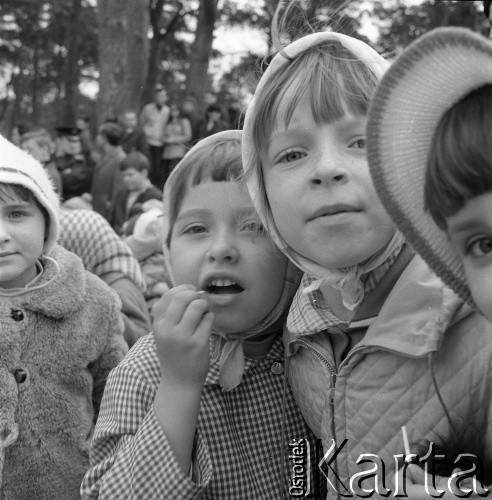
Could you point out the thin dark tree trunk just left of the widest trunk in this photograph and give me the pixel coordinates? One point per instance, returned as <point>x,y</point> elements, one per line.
<point>71,73</point>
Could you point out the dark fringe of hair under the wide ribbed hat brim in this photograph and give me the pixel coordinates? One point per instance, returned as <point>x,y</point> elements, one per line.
<point>459,164</point>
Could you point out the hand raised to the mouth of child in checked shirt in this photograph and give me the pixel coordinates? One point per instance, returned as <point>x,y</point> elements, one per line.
<point>182,326</point>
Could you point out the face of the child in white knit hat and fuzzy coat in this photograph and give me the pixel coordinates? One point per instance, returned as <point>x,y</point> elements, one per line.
<point>22,235</point>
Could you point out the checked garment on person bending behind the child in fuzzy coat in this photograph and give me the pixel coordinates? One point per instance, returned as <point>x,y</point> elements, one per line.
<point>89,235</point>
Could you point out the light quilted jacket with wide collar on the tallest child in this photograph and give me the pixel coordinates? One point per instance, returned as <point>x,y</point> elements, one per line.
<point>423,346</point>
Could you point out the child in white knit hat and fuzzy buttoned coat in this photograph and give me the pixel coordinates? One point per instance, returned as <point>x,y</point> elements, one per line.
<point>60,335</point>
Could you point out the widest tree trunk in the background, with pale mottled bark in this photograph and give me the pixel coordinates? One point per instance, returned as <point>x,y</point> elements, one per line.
<point>123,54</point>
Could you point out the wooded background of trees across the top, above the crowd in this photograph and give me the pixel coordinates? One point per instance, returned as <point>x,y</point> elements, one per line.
<point>48,48</point>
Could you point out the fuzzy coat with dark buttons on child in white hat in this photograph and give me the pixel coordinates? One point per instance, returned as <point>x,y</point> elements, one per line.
<point>57,346</point>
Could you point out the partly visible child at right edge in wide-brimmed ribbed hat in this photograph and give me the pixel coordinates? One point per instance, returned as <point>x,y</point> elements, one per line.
<point>430,156</point>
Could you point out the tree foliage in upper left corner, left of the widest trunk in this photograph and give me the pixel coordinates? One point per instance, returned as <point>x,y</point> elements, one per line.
<point>35,38</point>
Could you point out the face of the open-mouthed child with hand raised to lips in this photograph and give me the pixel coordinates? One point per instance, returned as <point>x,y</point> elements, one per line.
<point>218,245</point>
